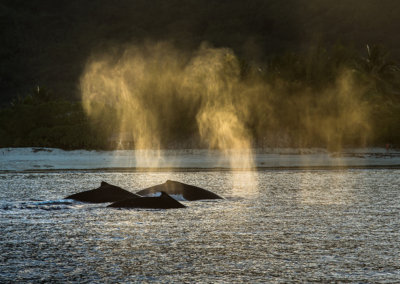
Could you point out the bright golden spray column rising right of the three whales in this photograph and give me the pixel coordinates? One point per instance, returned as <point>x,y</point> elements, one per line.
<point>221,118</point>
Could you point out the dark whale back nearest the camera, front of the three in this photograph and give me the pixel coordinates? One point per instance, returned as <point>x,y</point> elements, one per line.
<point>164,201</point>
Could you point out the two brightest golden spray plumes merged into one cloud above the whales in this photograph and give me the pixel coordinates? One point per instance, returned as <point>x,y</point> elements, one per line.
<point>161,95</point>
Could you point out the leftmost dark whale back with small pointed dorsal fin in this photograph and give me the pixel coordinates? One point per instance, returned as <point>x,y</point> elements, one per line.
<point>105,193</point>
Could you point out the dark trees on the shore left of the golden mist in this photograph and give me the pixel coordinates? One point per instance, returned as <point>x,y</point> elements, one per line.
<point>40,119</point>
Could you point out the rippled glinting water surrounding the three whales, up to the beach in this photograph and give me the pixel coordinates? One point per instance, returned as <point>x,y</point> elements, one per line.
<point>287,226</point>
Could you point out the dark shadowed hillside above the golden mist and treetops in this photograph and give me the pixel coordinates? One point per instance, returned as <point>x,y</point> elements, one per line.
<point>47,42</point>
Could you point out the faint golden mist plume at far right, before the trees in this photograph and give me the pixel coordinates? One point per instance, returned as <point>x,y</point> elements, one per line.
<point>337,116</point>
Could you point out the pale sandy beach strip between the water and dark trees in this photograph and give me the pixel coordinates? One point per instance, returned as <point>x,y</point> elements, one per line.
<point>54,160</point>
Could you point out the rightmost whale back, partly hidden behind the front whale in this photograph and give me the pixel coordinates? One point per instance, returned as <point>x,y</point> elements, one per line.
<point>189,192</point>
